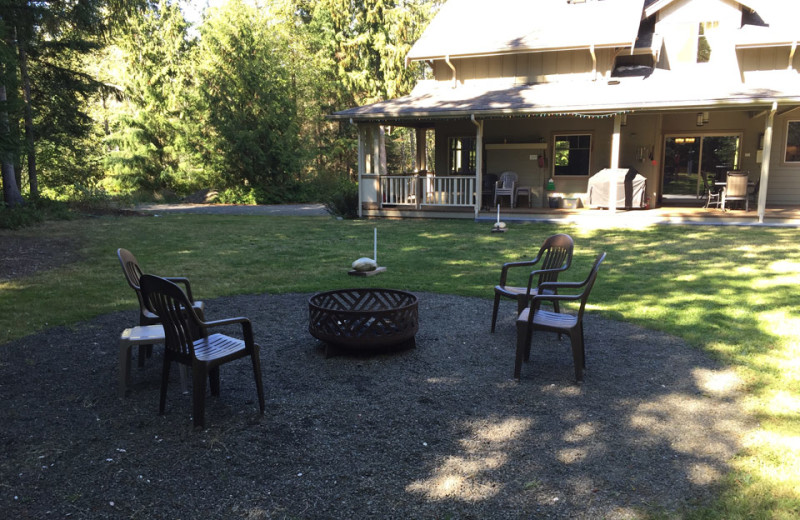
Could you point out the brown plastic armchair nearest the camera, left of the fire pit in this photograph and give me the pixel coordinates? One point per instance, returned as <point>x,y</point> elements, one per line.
<point>187,342</point>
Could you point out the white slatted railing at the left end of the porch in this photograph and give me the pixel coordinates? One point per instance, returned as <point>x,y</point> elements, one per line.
<point>416,190</point>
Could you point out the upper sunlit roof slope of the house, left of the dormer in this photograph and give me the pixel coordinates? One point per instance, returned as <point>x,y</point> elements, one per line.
<point>465,28</point>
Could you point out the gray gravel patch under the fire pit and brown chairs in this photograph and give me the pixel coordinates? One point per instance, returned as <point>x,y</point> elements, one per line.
<point>438,431</point>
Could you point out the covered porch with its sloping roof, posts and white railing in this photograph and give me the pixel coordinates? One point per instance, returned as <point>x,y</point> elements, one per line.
<point>480,134</point>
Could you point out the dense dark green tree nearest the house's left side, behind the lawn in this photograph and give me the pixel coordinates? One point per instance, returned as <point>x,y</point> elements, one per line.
<point>246,96</point>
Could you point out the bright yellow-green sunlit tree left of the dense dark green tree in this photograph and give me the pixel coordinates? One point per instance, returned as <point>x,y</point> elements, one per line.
<point>150,151</point>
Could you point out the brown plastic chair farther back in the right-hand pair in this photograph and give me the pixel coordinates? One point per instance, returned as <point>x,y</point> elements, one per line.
<point>555,256</point>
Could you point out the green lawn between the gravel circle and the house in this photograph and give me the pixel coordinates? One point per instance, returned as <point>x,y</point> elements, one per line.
<point>730,291</point>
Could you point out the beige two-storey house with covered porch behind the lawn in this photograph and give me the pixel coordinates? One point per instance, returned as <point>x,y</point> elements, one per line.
<point>558,90</point>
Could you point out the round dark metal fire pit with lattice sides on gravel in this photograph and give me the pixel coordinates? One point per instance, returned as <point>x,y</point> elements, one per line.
<point>366,319</point>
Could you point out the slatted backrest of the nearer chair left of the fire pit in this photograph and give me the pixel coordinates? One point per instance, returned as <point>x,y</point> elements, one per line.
<point>174,310</point>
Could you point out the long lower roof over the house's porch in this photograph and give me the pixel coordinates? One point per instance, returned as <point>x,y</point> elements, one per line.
<point>660,91</point>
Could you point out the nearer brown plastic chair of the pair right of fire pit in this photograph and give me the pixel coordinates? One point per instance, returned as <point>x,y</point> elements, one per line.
<point>535,318</point>
